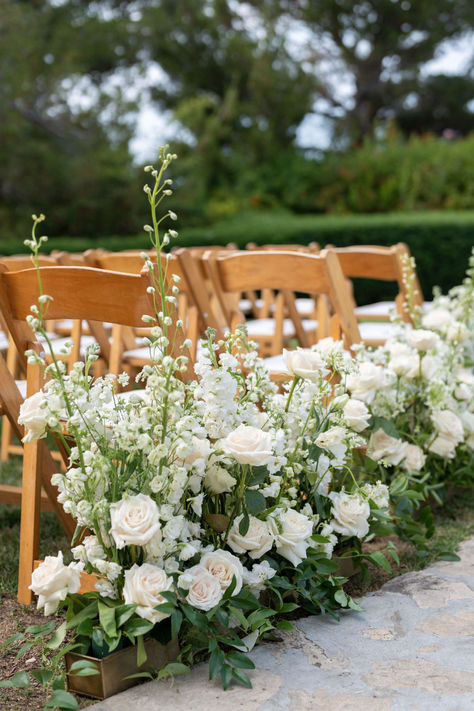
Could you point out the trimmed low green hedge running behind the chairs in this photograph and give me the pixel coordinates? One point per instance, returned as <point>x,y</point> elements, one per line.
<point>441,242</point>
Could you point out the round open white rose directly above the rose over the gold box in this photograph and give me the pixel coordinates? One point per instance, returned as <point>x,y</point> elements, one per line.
<point>135,521</point>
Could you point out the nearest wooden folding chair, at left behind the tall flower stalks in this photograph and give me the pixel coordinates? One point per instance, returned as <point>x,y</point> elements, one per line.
<point>77,293</point>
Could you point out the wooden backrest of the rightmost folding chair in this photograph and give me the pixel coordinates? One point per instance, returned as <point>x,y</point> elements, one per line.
<point>384,263</point>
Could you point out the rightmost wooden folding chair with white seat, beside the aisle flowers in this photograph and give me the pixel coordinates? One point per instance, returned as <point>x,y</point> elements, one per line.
<point>385,264</point>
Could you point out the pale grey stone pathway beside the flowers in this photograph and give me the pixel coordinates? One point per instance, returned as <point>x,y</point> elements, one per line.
<point>411,649</point>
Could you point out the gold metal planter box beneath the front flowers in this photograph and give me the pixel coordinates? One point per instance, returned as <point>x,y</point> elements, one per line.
<point>116,666</point>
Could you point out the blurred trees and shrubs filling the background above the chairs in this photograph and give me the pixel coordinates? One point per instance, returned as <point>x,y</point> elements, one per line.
<point>237,80</point>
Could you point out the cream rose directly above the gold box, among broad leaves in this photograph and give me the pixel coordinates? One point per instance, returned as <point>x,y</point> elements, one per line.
<point>143,587</point>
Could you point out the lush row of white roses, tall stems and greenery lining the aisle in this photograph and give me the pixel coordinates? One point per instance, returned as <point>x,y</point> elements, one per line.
<point>211,510</point>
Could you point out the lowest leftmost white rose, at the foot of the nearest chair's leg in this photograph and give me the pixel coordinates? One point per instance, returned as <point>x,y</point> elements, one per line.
<point>52,581</point>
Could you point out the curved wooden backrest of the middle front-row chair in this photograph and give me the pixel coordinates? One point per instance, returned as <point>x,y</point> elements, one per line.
<point>284,272</point>
